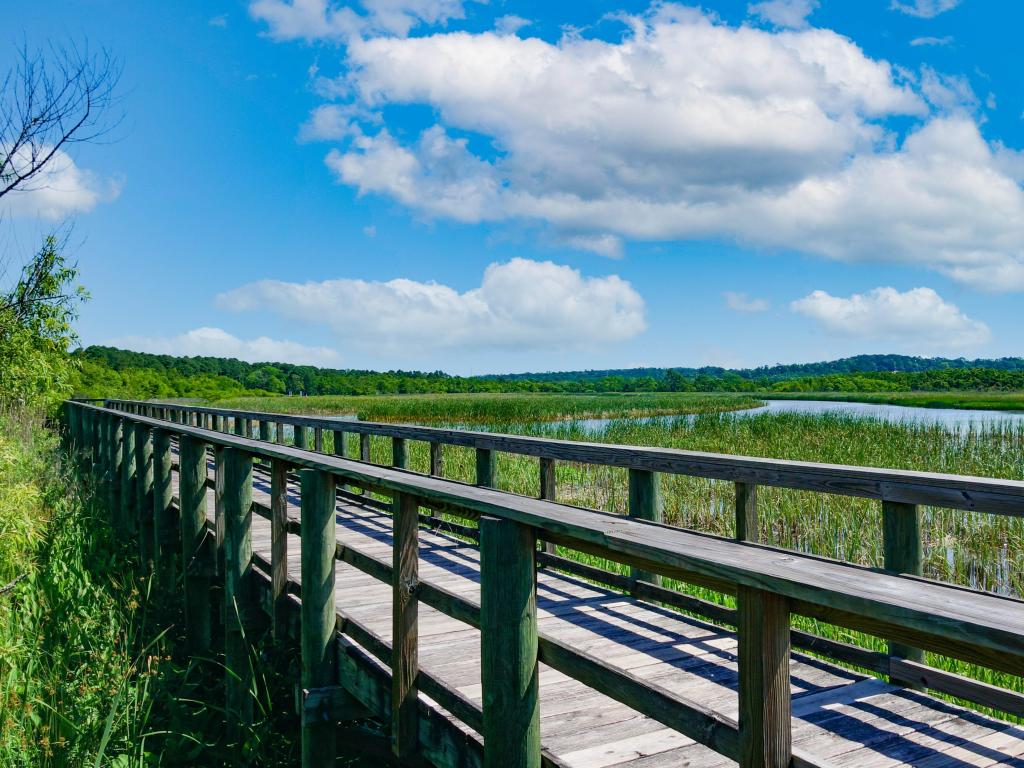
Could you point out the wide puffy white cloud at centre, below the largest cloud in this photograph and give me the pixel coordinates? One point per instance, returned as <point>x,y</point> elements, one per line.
<point>520,305</point>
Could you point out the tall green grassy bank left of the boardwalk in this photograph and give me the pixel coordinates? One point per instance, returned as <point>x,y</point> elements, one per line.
<point>94,670</point>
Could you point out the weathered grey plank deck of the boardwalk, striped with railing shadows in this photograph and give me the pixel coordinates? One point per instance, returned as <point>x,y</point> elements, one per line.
<point>840,717</point>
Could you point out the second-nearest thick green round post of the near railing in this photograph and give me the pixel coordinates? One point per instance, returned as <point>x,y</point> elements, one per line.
<point>319,667</point>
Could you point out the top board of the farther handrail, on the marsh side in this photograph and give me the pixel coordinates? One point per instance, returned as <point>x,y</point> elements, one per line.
<point>949,491</point>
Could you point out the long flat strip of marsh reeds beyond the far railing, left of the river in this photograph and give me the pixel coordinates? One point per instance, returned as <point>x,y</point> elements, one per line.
<point>491,409</point>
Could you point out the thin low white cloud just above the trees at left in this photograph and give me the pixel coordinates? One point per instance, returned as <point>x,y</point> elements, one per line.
<point>219,344</point>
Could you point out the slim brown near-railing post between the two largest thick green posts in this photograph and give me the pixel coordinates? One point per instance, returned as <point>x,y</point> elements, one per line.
<point>405,632</point>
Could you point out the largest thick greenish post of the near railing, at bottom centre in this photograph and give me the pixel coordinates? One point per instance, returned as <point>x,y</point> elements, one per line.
<point>508,646</point>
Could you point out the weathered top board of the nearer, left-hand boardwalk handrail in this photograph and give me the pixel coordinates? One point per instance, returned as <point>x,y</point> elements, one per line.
<point>932,610</point>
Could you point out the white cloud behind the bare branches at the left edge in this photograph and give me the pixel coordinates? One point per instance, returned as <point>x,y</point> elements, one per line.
<point>60,190</point>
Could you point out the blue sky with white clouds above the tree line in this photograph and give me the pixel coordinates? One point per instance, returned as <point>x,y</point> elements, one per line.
<point>522,186</point>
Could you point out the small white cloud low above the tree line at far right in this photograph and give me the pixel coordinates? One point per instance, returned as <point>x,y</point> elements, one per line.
<point>916,317</point>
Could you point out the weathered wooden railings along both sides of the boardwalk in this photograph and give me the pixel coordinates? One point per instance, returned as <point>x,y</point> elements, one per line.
<point>127,447</point>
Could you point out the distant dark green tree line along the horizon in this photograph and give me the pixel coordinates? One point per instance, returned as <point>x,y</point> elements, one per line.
<point>112,372</point>
